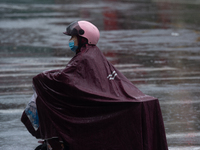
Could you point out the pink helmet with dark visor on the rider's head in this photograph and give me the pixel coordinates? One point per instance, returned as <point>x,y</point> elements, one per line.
<point>84,29</point>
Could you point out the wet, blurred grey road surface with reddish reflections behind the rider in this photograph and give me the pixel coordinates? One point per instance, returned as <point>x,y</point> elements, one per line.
<point>154,43</point>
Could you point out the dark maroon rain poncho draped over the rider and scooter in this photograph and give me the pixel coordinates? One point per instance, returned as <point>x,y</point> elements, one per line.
<point>92,106</point>
